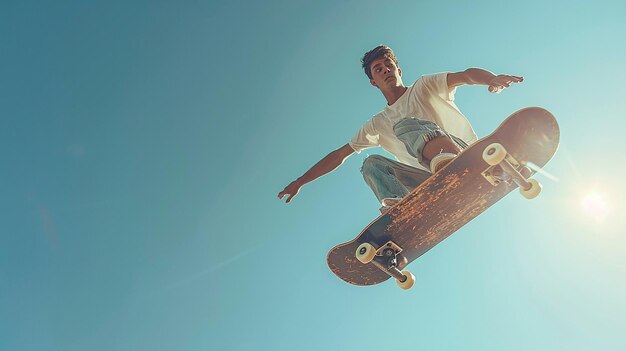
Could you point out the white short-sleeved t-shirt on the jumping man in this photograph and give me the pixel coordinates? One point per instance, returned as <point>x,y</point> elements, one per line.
<point>429,99</point>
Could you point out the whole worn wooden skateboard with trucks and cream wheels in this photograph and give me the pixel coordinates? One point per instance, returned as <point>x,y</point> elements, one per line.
<point>477,178</point>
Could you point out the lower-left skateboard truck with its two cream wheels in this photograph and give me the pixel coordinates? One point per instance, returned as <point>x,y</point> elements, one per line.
<point>386,259</point>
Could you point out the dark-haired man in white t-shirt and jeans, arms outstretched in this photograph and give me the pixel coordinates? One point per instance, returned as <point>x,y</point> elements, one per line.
<point>421,126</point>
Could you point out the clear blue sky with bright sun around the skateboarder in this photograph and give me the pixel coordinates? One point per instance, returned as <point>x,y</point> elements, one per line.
<point>144,144</point>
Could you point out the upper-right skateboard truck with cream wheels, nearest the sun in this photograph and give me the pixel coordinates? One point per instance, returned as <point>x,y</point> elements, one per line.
<point>501,162</point>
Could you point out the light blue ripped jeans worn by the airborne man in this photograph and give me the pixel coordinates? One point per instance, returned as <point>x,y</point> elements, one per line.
<point>389,178</point>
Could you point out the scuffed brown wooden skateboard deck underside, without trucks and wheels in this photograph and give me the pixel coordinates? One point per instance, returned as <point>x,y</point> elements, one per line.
<point>450,198</point>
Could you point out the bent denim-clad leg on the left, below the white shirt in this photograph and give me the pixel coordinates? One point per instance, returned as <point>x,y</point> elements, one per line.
<point>390,179</point>
